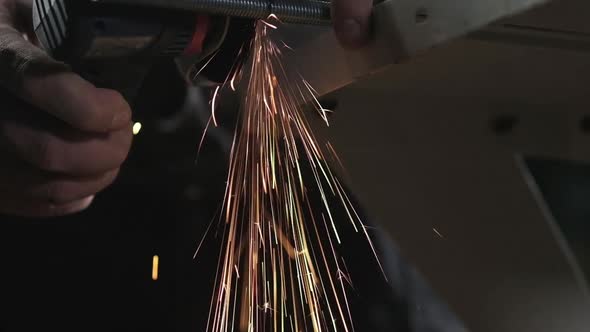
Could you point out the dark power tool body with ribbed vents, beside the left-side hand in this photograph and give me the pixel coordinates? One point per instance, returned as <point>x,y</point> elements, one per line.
<point>112,46</point>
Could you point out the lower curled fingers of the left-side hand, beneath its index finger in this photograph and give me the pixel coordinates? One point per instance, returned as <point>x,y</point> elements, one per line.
<point>49,168</point>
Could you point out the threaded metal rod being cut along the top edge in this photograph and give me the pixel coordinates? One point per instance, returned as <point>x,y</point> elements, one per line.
<point>290,11</point>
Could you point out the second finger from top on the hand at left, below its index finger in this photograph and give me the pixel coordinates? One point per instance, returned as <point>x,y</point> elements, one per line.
<point>50,145</point>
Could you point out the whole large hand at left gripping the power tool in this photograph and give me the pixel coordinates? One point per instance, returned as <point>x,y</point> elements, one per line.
<point>62,140</point>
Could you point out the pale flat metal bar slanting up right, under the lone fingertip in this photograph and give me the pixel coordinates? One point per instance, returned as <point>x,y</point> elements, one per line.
<point>403,29</point>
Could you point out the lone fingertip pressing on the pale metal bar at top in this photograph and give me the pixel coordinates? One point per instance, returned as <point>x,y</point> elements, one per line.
<point>351,21</point>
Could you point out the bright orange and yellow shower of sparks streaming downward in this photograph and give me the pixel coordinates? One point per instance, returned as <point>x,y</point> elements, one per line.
<point>279,269</point>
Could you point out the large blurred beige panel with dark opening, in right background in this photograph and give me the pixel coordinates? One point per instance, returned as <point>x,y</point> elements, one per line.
<point>426,155</point>
